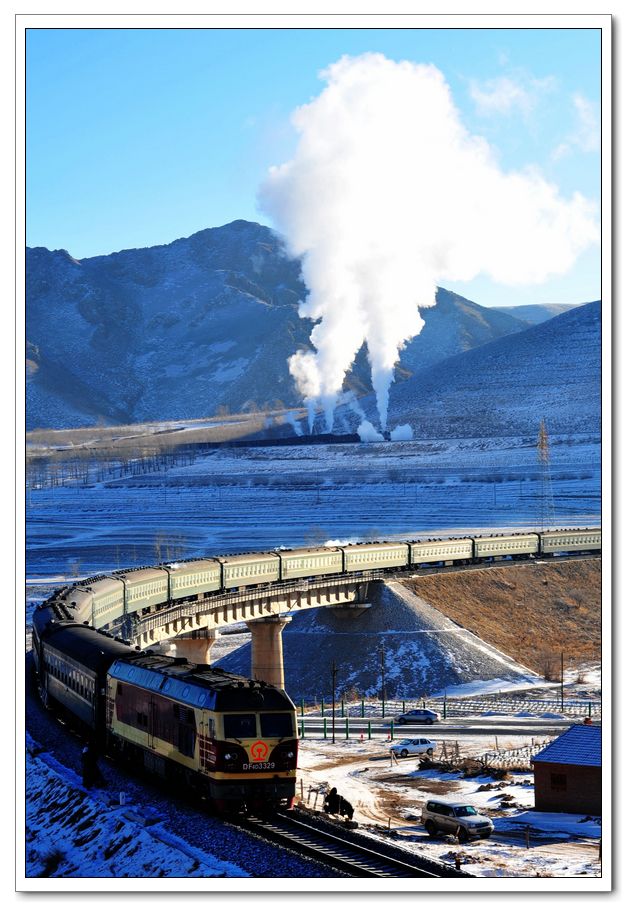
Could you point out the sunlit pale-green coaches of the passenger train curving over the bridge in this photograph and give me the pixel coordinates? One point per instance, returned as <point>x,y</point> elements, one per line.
<point>106,601</point>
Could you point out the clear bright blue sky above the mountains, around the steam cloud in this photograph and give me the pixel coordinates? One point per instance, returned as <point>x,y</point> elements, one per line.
<point>138,137</point>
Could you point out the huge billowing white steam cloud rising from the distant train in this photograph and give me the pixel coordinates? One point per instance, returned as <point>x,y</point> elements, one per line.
<point>388,195</point>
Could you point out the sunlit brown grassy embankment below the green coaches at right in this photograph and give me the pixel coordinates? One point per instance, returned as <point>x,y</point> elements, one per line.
<point>530,612</point>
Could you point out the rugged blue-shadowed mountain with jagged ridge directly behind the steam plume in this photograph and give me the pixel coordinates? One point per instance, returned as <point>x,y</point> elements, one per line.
<point>178,330</point>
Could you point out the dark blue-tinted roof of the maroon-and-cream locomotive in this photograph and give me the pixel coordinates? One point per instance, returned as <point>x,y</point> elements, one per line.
<point>199,685</point>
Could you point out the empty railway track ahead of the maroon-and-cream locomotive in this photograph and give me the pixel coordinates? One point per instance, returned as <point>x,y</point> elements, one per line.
<point>340,852</point>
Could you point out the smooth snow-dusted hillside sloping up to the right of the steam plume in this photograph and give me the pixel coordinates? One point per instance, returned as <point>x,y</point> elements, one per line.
<point>552,371</point>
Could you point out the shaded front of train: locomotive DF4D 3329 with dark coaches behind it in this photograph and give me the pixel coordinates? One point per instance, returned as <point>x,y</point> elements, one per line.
<point>231,740</point>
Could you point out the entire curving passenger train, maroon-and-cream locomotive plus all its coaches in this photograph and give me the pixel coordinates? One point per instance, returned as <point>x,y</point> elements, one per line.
<point>231,739</point>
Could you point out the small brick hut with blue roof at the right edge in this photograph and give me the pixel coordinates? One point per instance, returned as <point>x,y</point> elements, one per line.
<point>568,772</point>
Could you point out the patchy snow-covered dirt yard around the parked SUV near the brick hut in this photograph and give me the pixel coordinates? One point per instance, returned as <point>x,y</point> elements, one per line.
<point>388,798</point>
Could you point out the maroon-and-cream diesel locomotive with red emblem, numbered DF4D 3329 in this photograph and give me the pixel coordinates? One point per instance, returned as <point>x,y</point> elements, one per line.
<point>232,739</point>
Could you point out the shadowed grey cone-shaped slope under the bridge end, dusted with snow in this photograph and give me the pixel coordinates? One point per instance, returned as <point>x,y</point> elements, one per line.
<point>425,652</point>
